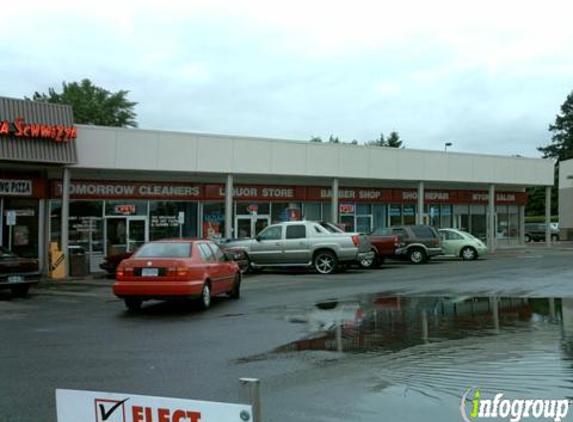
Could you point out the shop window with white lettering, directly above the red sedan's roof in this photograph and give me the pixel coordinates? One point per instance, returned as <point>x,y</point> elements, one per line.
<point>172,219</point>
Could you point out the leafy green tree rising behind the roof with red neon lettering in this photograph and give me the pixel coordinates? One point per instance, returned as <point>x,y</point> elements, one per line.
<point>93,105</point>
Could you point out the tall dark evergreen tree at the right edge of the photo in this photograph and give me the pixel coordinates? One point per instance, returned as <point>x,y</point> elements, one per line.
<point>561,146</point>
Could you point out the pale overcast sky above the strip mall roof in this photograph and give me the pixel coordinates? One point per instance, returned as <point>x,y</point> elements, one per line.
<point>488,77</point>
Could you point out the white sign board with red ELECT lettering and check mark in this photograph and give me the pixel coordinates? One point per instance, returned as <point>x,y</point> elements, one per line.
<point>93,406</point>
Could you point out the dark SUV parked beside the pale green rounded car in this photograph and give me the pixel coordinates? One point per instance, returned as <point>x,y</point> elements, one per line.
<point>417,243</point>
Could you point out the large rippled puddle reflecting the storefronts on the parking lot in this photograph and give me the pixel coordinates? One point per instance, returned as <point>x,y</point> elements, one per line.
<point>435,345</point>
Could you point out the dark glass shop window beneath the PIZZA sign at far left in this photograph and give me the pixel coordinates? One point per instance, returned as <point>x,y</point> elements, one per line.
<point>22,236</point>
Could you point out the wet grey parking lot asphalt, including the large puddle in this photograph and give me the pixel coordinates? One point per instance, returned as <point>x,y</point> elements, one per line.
<point>397,343</point>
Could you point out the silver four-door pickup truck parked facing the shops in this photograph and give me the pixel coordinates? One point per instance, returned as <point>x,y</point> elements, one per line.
<point>303,243</point>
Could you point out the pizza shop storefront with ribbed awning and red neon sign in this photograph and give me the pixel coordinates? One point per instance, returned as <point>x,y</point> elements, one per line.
<point>34,137</point>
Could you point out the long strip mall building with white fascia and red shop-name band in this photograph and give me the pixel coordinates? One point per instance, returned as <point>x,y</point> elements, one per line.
<point>111,189</point>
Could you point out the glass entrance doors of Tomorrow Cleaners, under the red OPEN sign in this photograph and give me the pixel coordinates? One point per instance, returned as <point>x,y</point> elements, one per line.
<point>125,234</point>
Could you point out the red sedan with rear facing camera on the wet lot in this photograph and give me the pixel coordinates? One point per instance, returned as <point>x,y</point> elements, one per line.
<point>173,269</point>
